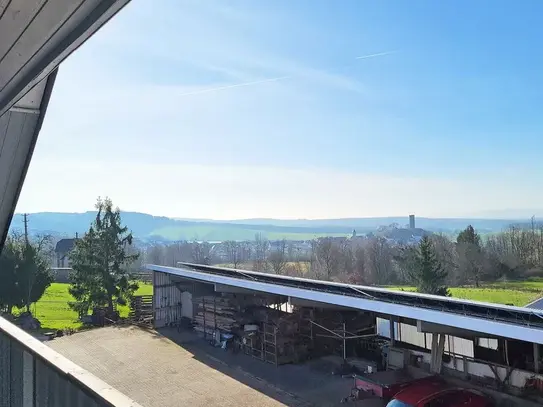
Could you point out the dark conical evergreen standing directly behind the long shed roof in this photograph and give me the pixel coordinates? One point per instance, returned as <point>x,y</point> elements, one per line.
<point>425,270</point>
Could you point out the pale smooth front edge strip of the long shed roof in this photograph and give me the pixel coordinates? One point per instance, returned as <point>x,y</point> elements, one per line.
<point>486,327</point>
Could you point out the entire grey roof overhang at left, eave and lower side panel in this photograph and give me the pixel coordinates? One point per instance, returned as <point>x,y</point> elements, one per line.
<point>35,37</point>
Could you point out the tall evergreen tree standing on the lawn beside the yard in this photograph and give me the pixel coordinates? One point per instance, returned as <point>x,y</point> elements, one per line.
<point>100,263</point>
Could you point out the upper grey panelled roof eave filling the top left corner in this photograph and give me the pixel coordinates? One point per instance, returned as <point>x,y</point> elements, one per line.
<point>37,35</point>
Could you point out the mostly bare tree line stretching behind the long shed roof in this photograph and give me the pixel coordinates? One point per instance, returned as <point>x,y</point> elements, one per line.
<point>433,264</point>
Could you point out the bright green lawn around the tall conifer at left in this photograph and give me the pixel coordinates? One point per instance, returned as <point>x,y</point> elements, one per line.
<point>53,312</point>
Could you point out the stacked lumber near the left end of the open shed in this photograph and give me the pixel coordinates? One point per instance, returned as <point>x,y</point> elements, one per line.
<point>215,313</point>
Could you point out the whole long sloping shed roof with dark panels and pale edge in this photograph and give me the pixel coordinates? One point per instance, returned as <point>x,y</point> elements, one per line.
<point>490,319</point>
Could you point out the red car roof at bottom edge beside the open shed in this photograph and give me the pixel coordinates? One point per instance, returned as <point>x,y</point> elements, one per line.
<point>432,394</point>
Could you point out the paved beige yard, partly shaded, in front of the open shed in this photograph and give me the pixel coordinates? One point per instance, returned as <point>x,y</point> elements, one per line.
<point>173,369</point>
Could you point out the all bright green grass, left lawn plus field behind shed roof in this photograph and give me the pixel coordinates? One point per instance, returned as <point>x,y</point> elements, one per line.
<point>54,313</point>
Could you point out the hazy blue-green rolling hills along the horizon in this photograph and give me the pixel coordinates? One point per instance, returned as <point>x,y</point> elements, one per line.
<point>148,227</point>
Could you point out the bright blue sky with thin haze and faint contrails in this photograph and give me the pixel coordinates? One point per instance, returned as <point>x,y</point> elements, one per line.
<point>299,109</point>
